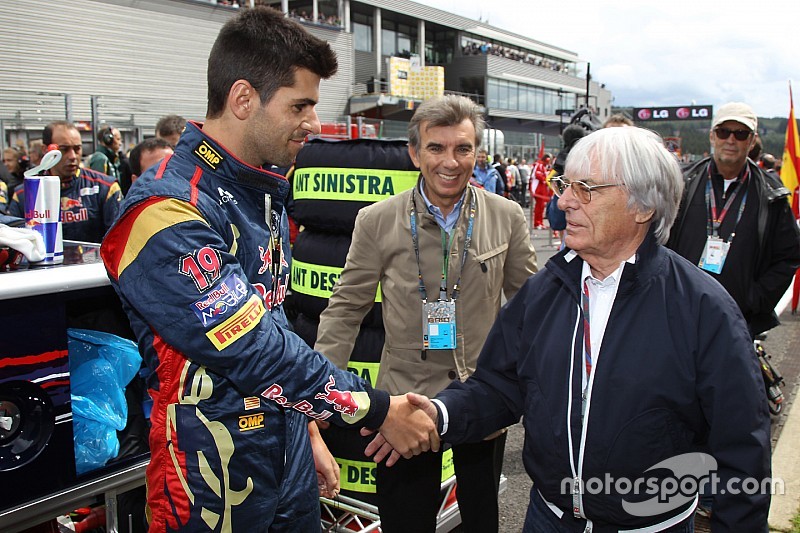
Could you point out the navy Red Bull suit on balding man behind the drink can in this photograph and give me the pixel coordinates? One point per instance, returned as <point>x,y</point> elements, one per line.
<point>90,203</point>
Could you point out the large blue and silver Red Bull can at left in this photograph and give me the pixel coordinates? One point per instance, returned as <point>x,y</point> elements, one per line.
<point>43,214</point>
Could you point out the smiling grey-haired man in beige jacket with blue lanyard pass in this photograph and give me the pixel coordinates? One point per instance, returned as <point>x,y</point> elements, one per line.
<point>443,253</point>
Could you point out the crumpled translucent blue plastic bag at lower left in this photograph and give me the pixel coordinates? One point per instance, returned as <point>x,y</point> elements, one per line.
<point>101,366</point>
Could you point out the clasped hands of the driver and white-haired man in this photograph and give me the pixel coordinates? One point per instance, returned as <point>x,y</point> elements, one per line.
<point>409,429</point>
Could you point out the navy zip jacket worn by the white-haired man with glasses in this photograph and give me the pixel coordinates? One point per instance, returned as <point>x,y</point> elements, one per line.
<point>676,374</point>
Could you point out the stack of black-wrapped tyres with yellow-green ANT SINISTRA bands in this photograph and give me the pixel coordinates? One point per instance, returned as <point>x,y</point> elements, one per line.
<point>331,182</point>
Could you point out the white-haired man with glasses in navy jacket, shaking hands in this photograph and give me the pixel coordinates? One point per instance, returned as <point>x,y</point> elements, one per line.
<point>641,360</point>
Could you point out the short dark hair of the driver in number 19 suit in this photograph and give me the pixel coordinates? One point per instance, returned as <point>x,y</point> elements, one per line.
<point>265,48</point>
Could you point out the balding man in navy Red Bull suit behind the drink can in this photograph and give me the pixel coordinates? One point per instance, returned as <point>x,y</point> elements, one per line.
<point>89,199</point>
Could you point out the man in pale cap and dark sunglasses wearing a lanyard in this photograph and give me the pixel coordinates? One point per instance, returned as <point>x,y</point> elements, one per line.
<point>735,221</point>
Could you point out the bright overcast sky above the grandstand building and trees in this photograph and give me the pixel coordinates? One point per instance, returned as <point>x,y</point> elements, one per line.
<point>672,52</point>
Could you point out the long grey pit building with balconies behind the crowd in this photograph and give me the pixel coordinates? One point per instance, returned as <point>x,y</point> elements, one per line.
<point>128,62</point>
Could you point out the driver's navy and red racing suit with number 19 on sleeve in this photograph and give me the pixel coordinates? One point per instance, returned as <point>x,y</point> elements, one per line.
<point>200,258</point>
